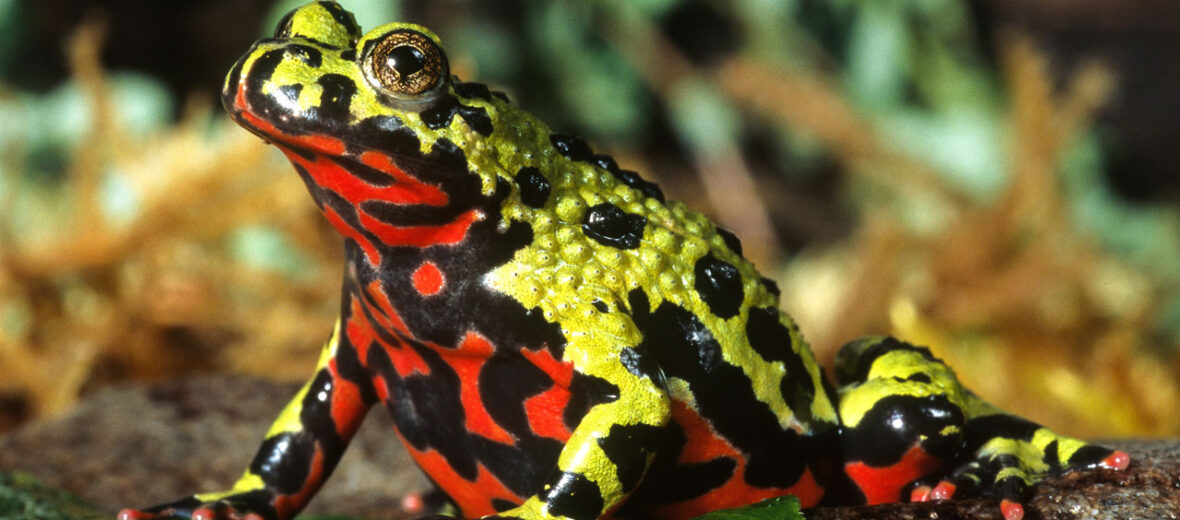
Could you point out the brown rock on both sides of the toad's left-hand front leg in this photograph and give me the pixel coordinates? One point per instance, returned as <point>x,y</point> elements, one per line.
<point>137,446</point>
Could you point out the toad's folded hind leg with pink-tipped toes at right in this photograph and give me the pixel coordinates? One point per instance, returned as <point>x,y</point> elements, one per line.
<point>913,432</point>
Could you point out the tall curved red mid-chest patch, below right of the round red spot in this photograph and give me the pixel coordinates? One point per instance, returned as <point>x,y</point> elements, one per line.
<point>468,360</point>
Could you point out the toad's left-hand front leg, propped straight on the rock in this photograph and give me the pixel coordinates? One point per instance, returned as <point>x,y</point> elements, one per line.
<point>299,452</point>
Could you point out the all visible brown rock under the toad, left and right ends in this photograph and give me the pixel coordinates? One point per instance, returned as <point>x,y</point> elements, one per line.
<point>142,445</point>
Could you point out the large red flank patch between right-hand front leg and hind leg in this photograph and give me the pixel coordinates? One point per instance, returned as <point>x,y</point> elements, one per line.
<point>704,445</point>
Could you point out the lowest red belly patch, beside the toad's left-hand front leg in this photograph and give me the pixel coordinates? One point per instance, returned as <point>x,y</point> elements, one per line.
<point>474,498</point>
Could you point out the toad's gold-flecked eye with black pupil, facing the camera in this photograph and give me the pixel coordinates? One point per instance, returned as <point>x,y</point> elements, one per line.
<point>407,64</point>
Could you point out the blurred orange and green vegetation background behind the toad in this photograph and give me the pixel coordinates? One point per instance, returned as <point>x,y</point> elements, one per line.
<point>994,179</point>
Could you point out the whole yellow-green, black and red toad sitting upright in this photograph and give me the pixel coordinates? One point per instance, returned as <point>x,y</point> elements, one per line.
<point>553,338</point>
